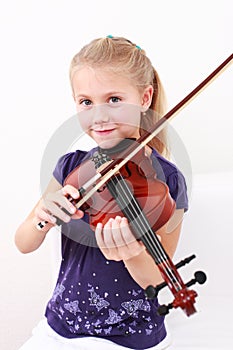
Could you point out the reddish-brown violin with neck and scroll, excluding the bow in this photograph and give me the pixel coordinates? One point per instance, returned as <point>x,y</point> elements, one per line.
<point>147,204</point>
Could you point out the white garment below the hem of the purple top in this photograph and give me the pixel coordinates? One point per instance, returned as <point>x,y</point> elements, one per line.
<point>44,338</point>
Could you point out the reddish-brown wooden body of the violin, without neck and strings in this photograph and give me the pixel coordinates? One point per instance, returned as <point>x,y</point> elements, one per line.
<point>151,194</point>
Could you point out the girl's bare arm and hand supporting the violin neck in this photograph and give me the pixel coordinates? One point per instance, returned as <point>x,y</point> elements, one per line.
<point>117,242</point>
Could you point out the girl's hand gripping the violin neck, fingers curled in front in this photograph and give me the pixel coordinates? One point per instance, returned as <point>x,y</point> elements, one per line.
<point>116,241</point>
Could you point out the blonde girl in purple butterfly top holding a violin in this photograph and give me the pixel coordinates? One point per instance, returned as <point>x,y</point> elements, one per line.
<point>99,301</point>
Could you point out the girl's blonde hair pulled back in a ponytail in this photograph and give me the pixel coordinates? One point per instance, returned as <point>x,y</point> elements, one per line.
<point>127,59</point>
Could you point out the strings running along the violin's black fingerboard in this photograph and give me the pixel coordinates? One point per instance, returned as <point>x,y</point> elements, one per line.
<point>145,228</point>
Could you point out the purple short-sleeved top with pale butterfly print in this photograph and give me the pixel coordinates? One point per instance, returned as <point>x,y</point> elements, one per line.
<point>98,297</point>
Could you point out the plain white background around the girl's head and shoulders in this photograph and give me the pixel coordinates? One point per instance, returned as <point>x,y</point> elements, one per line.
<point>186,41</point>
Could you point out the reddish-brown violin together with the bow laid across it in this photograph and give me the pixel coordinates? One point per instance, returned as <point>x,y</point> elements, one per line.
<point>123,181</point>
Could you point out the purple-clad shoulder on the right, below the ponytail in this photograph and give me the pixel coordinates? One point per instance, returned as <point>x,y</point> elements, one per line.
<point>169,173</point>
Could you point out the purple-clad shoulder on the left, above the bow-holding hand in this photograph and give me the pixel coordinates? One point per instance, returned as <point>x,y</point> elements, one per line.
<point>68,162</point>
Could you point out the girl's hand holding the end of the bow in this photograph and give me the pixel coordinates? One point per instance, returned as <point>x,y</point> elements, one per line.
<point>50,207</point>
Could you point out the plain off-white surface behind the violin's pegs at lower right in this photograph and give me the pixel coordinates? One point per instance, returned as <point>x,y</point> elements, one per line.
<point>208,233</point>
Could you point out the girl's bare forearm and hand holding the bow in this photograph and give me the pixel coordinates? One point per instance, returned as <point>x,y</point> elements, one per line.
<point>28,237</point>
